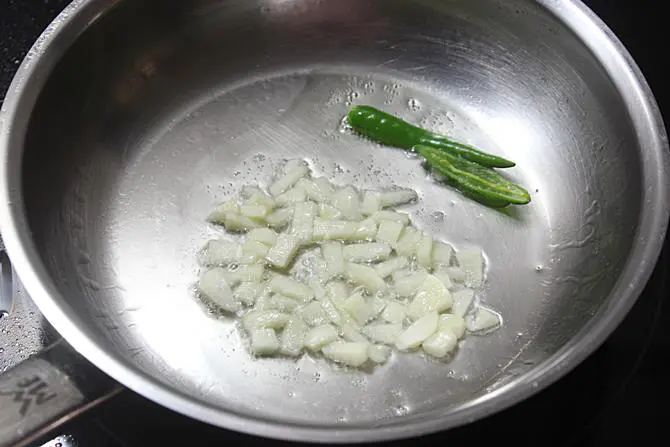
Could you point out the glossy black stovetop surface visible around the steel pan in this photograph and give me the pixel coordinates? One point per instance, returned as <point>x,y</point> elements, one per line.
<point>614,397</point>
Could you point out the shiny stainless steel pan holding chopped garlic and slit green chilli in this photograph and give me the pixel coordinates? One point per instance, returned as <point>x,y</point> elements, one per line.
<point>130,119</point>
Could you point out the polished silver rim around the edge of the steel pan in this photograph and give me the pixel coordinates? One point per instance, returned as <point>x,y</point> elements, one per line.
<point>594,34</point>
